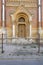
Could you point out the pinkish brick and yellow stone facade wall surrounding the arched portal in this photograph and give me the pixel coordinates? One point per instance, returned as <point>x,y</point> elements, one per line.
<point>13,6</point>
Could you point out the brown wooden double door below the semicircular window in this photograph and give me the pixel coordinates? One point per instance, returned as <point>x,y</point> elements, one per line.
<point>22,30</point>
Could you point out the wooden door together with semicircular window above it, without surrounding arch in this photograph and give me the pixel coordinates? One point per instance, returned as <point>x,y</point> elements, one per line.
<point>21,27</point>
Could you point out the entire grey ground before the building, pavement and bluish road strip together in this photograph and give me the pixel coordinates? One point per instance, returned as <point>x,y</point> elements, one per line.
<point>21,55</point>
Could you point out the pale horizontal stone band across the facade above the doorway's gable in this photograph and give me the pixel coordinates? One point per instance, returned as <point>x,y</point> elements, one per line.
<point>24,3</point>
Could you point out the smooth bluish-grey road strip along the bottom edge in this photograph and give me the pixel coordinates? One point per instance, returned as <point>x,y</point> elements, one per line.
<point>22,62</point>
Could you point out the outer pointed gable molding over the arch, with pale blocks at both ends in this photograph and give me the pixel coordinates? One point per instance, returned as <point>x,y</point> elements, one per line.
<point>19,10</point>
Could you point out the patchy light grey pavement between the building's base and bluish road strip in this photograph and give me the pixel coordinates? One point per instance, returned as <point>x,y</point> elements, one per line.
<point>20,52</point>
